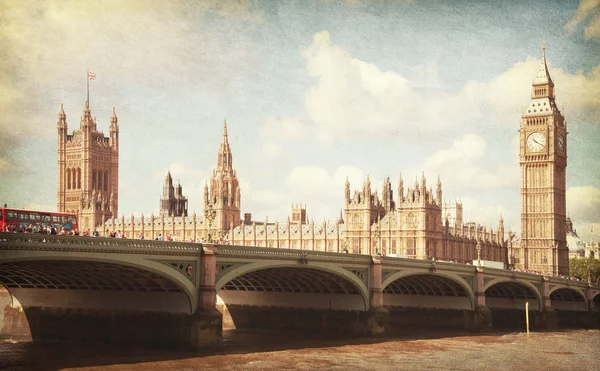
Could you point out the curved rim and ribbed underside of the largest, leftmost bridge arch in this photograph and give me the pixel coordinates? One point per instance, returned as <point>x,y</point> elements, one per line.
<point>45,262</point>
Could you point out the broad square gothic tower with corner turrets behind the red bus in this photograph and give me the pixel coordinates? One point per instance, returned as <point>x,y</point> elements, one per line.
<point>88,170</point>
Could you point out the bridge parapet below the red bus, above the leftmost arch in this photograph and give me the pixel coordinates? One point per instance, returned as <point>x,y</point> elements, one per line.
<point>53,242</point>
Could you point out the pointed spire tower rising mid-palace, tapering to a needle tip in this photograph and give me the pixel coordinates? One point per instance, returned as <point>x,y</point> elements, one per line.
<point>224,194</point>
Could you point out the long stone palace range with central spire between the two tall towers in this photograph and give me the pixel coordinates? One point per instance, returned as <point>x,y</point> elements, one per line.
<point>417,225</point>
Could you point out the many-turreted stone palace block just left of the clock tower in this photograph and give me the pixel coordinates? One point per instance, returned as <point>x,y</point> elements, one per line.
<point>418,225</point>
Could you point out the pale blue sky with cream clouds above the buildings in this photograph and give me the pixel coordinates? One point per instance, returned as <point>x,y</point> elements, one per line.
<point>313,92</point>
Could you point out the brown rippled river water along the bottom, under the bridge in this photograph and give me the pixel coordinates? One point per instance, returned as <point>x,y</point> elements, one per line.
<point>562,350</point>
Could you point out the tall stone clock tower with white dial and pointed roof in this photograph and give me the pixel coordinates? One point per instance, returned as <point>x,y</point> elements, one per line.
<point>543,160</point>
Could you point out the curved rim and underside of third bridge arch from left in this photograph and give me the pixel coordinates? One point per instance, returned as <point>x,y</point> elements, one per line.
<point>438,282</point>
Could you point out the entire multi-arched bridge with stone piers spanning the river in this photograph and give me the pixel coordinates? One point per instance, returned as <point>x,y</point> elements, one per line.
<point>183,294</point>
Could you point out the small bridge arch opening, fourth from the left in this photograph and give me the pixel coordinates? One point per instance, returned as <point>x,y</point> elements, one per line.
<point>513,290</point>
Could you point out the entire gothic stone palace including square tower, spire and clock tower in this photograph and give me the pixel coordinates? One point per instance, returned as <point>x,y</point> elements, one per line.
<point>404,220</point>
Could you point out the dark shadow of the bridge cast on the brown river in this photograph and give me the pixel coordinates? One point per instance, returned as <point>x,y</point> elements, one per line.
<point>26,355</point>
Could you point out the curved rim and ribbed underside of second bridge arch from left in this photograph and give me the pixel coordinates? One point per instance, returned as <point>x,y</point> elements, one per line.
<point>328,273</point>
